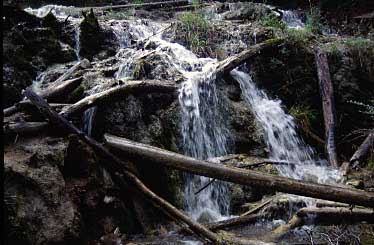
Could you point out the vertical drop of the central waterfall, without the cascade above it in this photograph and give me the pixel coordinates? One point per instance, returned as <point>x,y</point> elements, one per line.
<point>204,136</point>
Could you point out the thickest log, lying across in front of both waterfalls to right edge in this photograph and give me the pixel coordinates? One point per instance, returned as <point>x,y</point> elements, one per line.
<point>137,151</point>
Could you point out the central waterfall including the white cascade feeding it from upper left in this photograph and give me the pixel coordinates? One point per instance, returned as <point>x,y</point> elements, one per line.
<point>203,130</point>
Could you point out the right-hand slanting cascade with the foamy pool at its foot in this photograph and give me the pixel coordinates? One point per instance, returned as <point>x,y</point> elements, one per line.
<point>279,133</point>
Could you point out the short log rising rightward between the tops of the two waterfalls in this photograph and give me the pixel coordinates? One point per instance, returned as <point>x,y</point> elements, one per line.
<point>230,63</point>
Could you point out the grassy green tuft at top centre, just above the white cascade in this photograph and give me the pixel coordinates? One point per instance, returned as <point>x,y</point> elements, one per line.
<point>195,29</point>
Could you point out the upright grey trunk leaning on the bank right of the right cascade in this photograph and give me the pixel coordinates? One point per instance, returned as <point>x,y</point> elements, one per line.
<point>327,94</point>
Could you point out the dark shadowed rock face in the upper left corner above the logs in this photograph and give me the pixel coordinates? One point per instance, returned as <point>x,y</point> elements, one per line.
<point>30,44</point>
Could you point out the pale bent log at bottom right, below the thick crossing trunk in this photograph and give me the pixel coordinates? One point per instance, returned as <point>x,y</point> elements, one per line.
<point>323,216</point>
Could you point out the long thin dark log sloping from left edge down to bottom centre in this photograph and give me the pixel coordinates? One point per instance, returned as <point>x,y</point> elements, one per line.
<point>114,166</point>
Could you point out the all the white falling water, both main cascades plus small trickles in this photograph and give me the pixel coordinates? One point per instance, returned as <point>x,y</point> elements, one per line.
<point>205,134</point>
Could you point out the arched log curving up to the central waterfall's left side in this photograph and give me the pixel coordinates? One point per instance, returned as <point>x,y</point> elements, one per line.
<point>131,87</point>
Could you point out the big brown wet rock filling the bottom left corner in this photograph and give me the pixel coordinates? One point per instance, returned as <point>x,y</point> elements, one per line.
<point>38,210</point>
